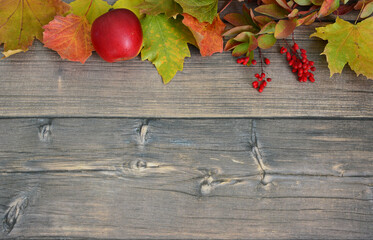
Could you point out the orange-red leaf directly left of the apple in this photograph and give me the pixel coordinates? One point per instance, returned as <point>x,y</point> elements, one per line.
<point>70,37</point>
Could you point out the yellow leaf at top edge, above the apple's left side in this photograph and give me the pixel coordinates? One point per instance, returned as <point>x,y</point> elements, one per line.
<point>92,9</point>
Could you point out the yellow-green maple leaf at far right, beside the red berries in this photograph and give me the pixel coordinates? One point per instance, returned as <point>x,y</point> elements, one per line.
<point>348,43</point>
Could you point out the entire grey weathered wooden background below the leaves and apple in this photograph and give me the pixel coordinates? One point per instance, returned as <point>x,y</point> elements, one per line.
<point>105,150</point>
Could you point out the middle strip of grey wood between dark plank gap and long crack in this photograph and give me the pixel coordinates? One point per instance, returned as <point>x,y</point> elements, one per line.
<point>240,146</point>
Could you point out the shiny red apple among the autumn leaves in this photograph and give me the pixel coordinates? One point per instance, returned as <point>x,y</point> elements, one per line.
<point>117,35</point>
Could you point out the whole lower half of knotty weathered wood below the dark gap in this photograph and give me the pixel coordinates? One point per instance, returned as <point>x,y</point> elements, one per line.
<point>207,178</point>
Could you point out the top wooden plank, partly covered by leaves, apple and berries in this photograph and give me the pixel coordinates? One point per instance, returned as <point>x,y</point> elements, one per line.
<point>38,83</point>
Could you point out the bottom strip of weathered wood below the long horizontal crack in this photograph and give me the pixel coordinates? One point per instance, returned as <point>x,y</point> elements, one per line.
<point>94,204</point>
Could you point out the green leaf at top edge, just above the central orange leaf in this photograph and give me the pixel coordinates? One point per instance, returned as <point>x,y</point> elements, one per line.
<point>203,10</point>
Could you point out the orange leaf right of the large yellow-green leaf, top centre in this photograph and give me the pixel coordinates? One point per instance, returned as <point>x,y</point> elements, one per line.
<point>208,36</point>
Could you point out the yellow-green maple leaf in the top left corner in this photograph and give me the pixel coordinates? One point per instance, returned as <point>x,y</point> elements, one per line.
<point>22,21</point>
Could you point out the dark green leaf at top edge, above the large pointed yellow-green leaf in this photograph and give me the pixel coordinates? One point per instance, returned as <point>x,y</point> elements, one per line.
<point>155,7</point>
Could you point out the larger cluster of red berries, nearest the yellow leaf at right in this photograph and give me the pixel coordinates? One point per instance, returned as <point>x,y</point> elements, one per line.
<point>299,62</point>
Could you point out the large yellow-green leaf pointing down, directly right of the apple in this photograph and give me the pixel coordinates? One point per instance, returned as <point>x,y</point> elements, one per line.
<point>165,44</point>
